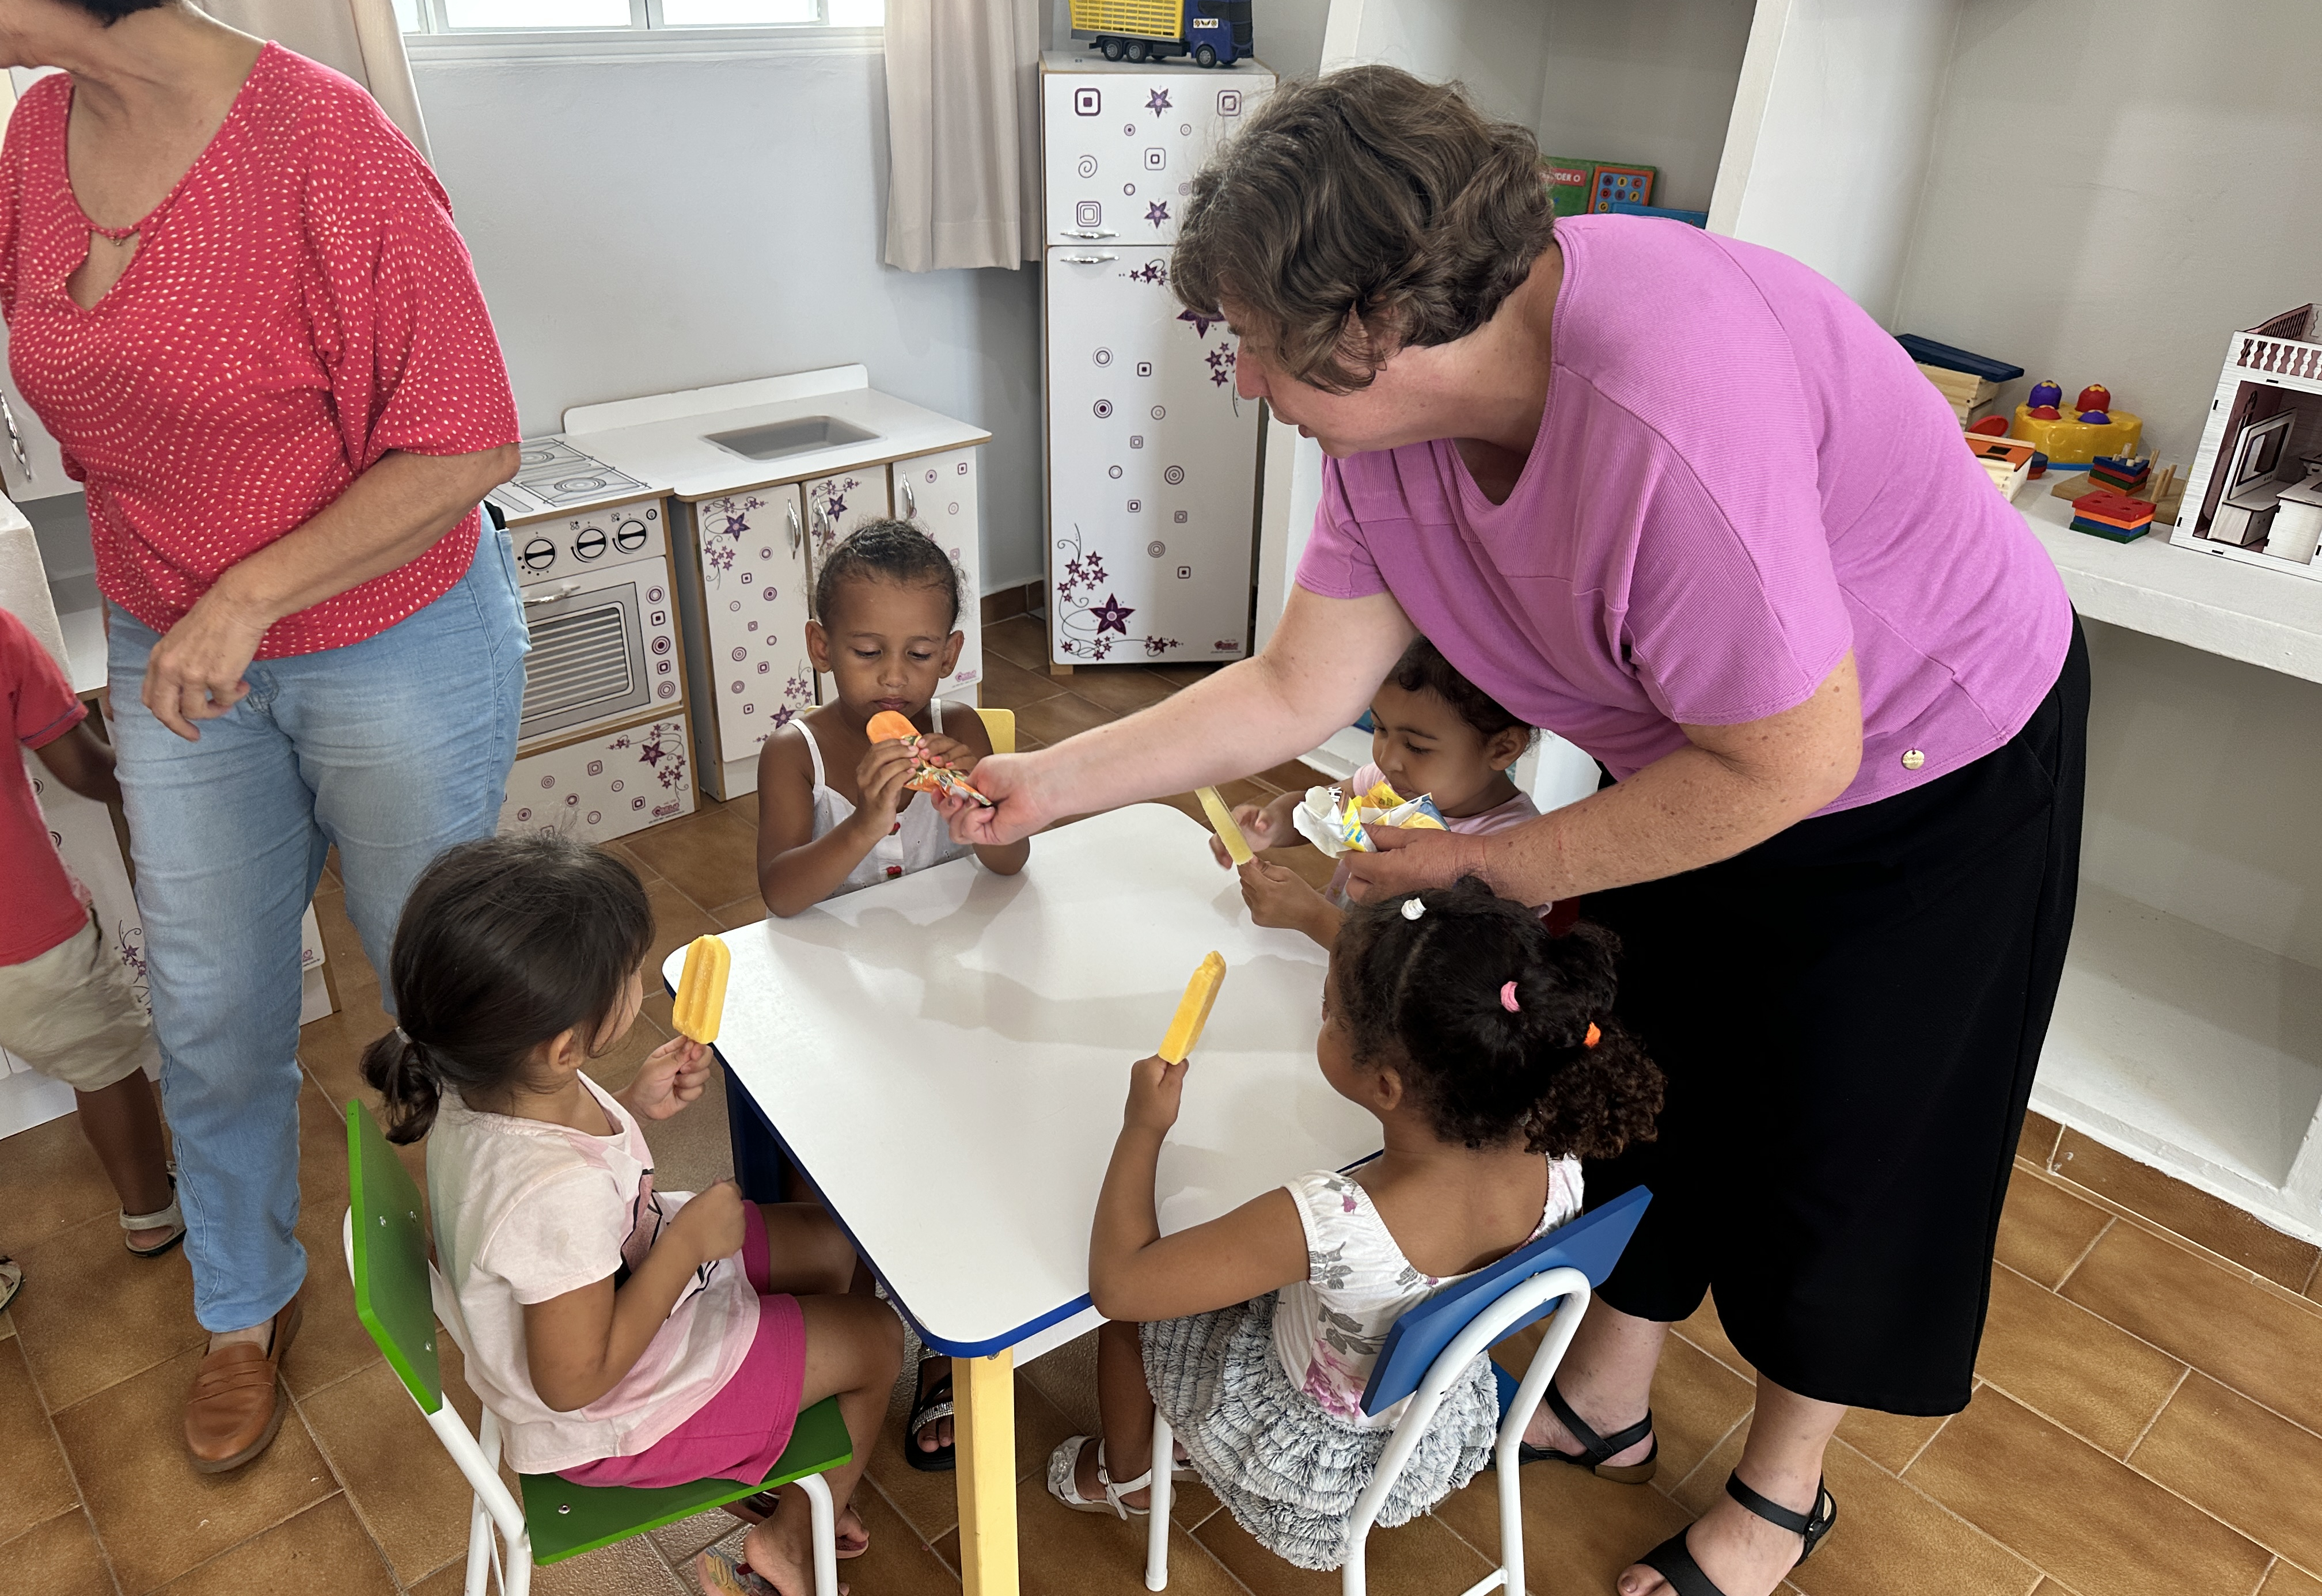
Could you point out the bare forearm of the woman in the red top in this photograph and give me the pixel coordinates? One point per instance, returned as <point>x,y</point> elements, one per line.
<point>387,518</point>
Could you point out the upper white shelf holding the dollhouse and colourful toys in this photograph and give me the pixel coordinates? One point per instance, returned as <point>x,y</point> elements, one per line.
<point>2191,597</point>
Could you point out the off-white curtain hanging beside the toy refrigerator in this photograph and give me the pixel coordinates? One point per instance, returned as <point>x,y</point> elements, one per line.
<point>962,133</point>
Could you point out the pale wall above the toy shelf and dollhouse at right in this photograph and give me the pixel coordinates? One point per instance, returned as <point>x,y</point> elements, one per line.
<point>2119,187</point>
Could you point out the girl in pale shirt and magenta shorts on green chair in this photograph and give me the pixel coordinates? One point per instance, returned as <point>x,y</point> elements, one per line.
<point>623,1335</point>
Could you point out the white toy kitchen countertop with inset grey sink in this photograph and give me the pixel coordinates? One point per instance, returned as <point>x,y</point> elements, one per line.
<point>735,437</point>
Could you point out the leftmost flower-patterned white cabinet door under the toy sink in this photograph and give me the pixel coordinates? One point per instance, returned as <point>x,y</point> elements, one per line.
<point>756,676</point>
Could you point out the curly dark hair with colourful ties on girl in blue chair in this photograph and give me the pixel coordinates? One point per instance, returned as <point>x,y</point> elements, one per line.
<point>1425,996</point>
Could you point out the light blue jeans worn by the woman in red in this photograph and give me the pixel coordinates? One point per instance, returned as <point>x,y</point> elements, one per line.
<point>394,748</point>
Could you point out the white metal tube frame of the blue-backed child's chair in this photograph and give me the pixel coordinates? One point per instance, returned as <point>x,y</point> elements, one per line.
<point>1506,1312</point>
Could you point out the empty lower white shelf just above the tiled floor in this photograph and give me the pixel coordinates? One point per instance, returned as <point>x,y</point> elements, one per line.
<point>2191,1052</point>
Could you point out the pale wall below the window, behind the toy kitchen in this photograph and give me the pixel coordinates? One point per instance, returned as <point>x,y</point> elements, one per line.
<point>644,226</point>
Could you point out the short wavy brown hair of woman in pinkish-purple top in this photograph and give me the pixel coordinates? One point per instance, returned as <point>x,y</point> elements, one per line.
<point>1369,208</point>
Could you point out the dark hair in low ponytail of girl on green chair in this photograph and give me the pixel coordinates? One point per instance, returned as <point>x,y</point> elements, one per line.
<point>505,943</point>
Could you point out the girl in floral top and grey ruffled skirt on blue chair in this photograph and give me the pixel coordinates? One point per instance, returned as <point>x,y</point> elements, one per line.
<point>1490,1054</point>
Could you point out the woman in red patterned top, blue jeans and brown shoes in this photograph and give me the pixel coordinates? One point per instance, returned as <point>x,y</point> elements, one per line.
<point>238,300</point>
